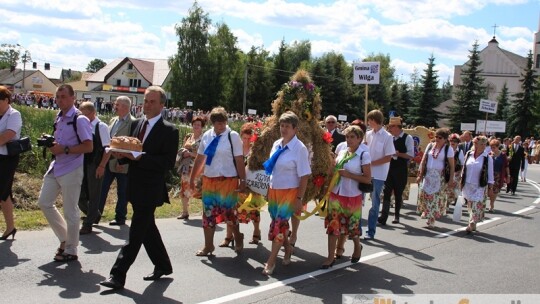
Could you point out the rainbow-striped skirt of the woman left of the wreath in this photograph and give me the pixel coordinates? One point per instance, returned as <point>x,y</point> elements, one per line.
<point>220,199</point>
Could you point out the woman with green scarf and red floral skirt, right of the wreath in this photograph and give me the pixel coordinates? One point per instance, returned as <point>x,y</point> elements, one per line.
<point>345,200</point>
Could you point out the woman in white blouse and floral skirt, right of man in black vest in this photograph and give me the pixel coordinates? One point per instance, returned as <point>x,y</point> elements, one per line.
<point>431,178</point>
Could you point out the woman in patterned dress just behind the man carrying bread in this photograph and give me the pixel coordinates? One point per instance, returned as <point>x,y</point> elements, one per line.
<point>184,163</point>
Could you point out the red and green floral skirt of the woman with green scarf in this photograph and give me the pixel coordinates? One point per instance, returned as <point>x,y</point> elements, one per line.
<point>344,214</point>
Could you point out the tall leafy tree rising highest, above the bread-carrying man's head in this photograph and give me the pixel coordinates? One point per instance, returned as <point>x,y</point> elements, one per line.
<point>189,66</point>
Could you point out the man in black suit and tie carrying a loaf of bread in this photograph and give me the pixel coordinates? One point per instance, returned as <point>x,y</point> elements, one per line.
<point>147,190</point>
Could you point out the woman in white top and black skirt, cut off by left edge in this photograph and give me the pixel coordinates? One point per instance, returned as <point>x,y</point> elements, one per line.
<point>10,129</point>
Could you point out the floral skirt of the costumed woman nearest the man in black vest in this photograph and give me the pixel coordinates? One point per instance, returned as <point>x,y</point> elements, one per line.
<point>431,196</point>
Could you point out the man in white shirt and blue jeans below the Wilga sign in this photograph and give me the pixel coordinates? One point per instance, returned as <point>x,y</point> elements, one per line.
<point>381,150</point>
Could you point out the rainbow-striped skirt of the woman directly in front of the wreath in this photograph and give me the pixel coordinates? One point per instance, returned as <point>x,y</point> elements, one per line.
<point>281,208</point>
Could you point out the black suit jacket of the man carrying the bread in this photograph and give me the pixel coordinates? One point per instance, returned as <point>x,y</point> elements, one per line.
<point>146,177</point>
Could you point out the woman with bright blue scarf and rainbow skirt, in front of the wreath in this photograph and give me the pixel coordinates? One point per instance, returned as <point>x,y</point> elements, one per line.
<point>289,171</point>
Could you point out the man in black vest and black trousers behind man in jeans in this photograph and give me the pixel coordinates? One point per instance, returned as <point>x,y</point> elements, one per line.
<point>398,172</point>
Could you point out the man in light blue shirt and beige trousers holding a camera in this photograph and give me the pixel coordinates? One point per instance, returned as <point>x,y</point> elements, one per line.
<point>72,138</point>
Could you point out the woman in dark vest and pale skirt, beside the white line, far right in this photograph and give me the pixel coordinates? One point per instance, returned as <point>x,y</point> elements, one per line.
<point>477,175</point>
